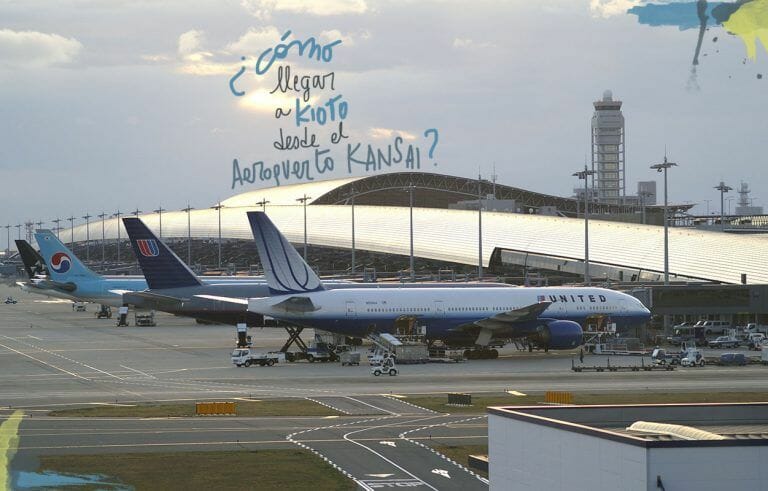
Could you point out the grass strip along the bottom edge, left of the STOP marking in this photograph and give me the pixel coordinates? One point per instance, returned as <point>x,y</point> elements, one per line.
<point>262,469</point>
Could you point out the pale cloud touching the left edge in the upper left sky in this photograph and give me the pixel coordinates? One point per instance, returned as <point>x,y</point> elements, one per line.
<point>36,49</point>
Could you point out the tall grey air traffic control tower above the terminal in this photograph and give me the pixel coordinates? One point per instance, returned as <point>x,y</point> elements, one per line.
<point>608,150</point>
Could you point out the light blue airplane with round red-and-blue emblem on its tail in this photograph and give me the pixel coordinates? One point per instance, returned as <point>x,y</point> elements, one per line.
<point>70,278</point>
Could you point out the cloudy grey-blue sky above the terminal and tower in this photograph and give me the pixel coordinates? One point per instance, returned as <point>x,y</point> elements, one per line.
<point>111,105</point>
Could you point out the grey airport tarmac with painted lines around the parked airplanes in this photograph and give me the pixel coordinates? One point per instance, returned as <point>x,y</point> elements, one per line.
<point>52,357</point>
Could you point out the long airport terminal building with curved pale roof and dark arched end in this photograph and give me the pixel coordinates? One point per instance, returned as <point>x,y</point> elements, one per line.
<point>521,228</point>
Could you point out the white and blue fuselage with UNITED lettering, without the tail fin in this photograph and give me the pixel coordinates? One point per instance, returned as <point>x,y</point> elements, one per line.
<point>447,312</point>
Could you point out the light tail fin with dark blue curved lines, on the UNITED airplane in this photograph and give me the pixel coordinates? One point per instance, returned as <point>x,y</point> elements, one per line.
<point>285,270</point>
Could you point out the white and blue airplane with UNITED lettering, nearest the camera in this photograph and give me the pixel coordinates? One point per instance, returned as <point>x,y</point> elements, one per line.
<point>546,317</point>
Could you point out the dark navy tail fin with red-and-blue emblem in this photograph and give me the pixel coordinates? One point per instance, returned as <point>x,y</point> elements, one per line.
<point>161,267</point>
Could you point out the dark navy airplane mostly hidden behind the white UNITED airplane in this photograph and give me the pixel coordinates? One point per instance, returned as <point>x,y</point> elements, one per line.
<point>174,288</point>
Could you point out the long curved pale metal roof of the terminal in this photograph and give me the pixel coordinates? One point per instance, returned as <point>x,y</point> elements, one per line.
<point>551,242</point>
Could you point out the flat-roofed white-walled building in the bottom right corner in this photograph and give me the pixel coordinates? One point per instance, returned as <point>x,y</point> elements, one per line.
<point>698,447</point>
